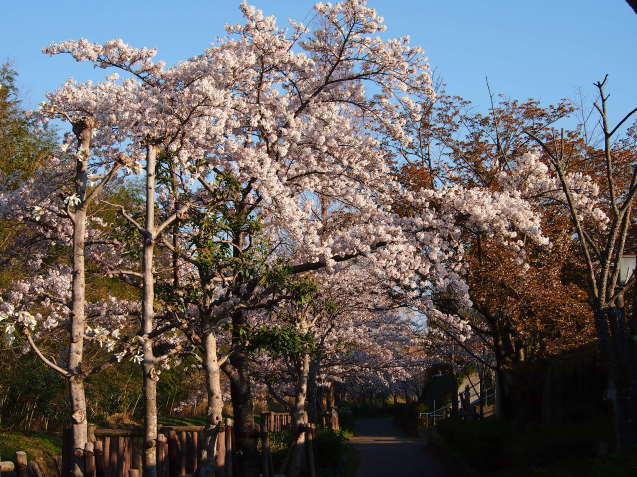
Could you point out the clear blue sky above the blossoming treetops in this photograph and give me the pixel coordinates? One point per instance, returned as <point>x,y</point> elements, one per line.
<point>543,49</point>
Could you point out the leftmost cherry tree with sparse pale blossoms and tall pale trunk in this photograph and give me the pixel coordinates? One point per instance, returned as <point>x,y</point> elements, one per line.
<point>56,203</point>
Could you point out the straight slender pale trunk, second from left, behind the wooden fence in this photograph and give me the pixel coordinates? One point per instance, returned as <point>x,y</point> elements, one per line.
<point>148,316</point>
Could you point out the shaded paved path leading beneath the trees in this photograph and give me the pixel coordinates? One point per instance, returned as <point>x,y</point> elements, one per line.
<point>385,451</point>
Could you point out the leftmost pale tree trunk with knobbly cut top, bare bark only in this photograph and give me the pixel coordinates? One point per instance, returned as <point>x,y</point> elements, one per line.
<point>83,130</point>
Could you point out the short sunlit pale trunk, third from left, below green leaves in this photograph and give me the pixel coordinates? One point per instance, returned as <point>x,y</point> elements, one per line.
<point>213,461</point>
